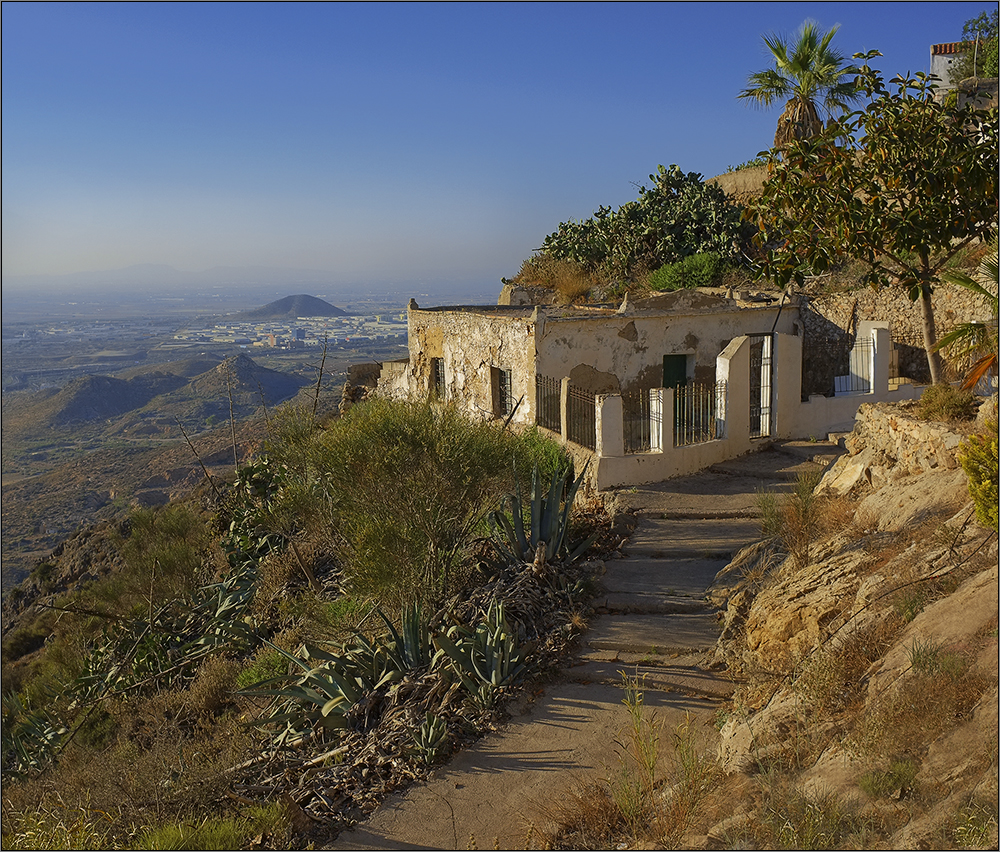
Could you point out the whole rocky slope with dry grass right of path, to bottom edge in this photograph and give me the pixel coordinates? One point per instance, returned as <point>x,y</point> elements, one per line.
<point>863,640</point>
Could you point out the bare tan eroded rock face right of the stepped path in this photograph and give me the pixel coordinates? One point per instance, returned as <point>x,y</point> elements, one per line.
<point>912,532</point>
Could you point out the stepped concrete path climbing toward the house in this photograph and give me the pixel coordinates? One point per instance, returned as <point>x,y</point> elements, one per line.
<point>653,622</point>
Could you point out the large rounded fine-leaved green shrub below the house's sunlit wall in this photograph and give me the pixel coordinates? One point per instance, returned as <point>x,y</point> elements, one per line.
<point>402,489</point>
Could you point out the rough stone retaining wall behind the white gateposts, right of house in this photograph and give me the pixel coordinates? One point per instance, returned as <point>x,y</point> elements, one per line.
<point>830,324</point>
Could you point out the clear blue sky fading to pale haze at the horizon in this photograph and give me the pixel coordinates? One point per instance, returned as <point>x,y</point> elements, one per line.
<point>395,142</point>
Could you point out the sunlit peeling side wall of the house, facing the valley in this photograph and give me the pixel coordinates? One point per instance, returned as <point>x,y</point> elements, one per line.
<point>471,343</point>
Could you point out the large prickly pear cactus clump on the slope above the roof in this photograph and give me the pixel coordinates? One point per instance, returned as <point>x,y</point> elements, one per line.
<point>680,215</point>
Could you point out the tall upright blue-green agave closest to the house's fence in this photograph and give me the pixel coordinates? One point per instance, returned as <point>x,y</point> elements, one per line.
<point>549,521</point>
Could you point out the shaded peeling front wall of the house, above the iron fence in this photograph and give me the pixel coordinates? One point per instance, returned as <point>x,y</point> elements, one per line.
<point>614,352</point>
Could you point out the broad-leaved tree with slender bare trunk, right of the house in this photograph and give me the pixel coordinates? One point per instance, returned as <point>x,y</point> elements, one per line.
<point>901,185</point>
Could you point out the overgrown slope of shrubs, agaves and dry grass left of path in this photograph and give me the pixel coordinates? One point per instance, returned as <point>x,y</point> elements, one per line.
<point>215,649</point>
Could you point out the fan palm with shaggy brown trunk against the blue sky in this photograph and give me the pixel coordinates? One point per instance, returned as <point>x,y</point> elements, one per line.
<point>808,74</point>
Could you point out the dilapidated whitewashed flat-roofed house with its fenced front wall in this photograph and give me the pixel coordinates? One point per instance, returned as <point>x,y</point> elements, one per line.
<point>648,390</point>
